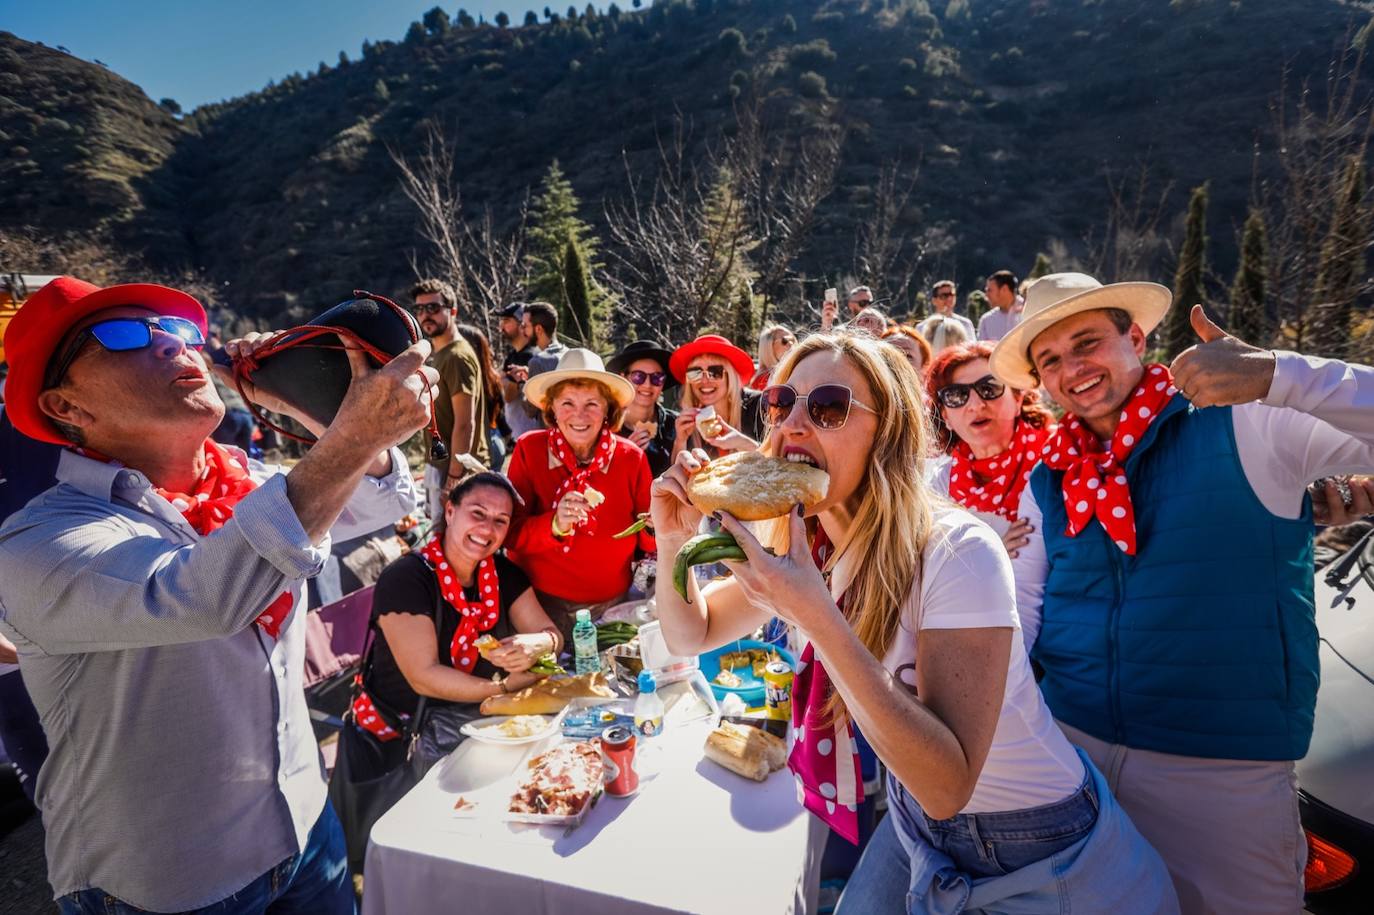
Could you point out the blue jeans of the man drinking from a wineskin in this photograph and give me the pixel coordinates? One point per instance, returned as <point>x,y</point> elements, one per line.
<point>314,883</point>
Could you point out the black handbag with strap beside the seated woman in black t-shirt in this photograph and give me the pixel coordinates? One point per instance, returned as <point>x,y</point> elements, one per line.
<point>372,776</point>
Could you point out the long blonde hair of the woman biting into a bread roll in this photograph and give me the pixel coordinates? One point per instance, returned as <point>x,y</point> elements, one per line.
<point>895,516</point>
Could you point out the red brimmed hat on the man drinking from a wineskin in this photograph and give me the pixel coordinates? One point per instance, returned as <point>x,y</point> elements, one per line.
<point>47,317</point>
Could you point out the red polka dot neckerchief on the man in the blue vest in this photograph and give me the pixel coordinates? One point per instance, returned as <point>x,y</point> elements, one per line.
<point>1094,480</point>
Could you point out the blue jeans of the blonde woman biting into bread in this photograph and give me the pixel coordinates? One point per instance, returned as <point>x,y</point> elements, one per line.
<point>980,846</point>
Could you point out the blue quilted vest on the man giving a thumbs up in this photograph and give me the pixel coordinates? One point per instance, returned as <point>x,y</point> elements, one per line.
<point>1204,644</point>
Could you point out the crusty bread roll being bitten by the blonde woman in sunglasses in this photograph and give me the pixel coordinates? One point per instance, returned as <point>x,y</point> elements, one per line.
<point>755,487</point>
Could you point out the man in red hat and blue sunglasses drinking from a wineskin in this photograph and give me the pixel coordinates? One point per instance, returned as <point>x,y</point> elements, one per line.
<point>153,598</point>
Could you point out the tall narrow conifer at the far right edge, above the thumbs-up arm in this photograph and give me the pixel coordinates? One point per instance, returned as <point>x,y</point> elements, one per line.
<point>1342,270</point>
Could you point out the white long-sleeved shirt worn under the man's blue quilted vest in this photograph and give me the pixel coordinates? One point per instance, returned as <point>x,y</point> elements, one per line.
<point>1317,421</point>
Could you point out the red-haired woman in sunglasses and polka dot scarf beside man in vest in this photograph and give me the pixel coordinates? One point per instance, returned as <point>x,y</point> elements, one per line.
<point>991,435</point>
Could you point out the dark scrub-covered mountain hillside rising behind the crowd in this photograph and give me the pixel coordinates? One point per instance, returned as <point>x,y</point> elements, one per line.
<point>1016,112</point>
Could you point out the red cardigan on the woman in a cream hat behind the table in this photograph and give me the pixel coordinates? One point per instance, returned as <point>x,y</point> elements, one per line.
<point>594,568</point>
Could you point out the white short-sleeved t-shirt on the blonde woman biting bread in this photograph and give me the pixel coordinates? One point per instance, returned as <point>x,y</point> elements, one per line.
<point>967,585</point>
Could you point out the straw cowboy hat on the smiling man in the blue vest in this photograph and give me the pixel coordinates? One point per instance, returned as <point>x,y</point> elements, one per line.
<point>1059,296</point>
